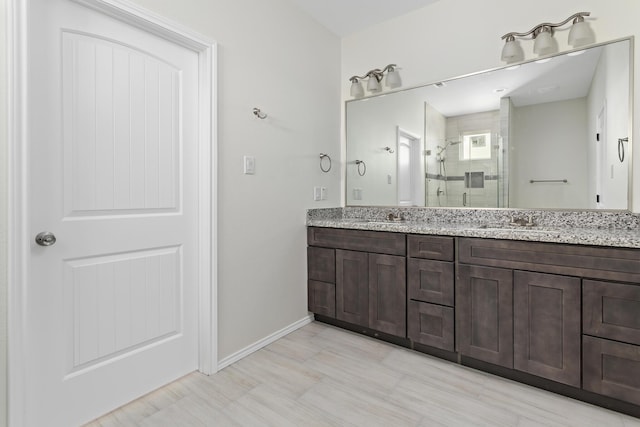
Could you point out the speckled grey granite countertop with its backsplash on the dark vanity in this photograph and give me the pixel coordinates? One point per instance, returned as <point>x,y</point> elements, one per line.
<point>618,229</point>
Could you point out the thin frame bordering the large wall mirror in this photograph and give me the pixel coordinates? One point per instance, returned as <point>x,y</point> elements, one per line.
<point>630,173</point>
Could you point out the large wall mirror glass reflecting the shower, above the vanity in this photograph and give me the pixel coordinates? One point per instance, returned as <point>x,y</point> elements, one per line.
<point>547,134</point>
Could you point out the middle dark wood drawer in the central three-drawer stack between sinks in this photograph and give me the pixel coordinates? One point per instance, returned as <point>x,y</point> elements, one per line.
<point>430,281</point>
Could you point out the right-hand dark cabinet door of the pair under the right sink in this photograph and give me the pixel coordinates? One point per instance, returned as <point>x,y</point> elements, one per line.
<point>547,326</point>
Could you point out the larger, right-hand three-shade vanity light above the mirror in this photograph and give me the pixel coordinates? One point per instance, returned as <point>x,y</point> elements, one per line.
<point>544,43</point>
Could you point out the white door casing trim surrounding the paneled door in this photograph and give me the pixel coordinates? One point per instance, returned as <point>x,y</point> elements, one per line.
<point>18,183</point>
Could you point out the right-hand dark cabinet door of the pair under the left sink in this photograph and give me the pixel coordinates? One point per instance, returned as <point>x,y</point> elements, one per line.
<point>387,294</point>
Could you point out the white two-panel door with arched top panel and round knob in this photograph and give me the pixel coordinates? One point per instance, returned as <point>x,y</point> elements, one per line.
<point>111,309</point>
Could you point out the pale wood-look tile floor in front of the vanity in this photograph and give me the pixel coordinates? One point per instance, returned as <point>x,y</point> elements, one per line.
<point>324,376</point>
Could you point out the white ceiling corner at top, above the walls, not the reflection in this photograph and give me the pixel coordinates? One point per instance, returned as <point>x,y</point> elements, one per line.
<point>344,17</point>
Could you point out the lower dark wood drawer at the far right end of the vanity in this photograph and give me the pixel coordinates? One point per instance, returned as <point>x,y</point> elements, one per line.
<point>611,368</point>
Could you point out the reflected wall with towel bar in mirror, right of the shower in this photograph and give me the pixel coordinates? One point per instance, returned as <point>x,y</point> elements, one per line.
<point>535,153</point>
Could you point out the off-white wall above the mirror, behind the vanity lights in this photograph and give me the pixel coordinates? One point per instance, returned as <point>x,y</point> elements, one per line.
<point>456,37</point>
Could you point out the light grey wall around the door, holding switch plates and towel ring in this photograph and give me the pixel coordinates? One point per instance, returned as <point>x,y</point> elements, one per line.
<point>274,57</point>
